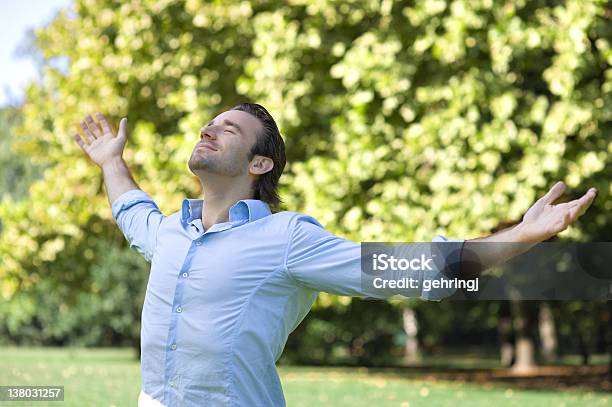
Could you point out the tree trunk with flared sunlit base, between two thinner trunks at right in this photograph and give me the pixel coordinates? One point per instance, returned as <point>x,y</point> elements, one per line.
<point>524,356</point>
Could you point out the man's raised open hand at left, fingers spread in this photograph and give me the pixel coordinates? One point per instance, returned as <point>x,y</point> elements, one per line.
<point>100,143</point>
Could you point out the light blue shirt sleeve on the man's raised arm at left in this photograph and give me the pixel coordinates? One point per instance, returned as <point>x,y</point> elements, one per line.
<point>139,219</point>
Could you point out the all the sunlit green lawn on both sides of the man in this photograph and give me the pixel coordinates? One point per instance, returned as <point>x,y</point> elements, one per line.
<point>111,377</point>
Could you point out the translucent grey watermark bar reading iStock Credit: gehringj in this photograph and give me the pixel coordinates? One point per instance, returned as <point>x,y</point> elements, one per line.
<point>487,271</point>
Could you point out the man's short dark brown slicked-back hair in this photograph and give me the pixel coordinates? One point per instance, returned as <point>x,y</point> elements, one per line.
<point>269,144</point>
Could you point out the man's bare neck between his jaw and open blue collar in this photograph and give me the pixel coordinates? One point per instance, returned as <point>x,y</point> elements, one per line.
<point>219,197</point>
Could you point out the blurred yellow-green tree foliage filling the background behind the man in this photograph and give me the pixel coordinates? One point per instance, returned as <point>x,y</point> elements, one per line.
<point>402,120</point>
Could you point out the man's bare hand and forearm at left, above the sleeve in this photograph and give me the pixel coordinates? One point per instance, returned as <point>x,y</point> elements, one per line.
<point>105,149</point>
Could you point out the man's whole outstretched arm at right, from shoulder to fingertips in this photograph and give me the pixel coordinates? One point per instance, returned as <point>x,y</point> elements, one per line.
<point>318,260</point>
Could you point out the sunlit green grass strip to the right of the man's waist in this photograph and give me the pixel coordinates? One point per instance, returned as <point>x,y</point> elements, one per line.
<point>359,387</point>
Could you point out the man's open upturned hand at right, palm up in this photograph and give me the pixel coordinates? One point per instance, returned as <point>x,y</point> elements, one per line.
<point>544,220</point>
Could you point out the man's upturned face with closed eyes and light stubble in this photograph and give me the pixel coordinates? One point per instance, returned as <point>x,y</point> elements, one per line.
<point>225,144</point>
